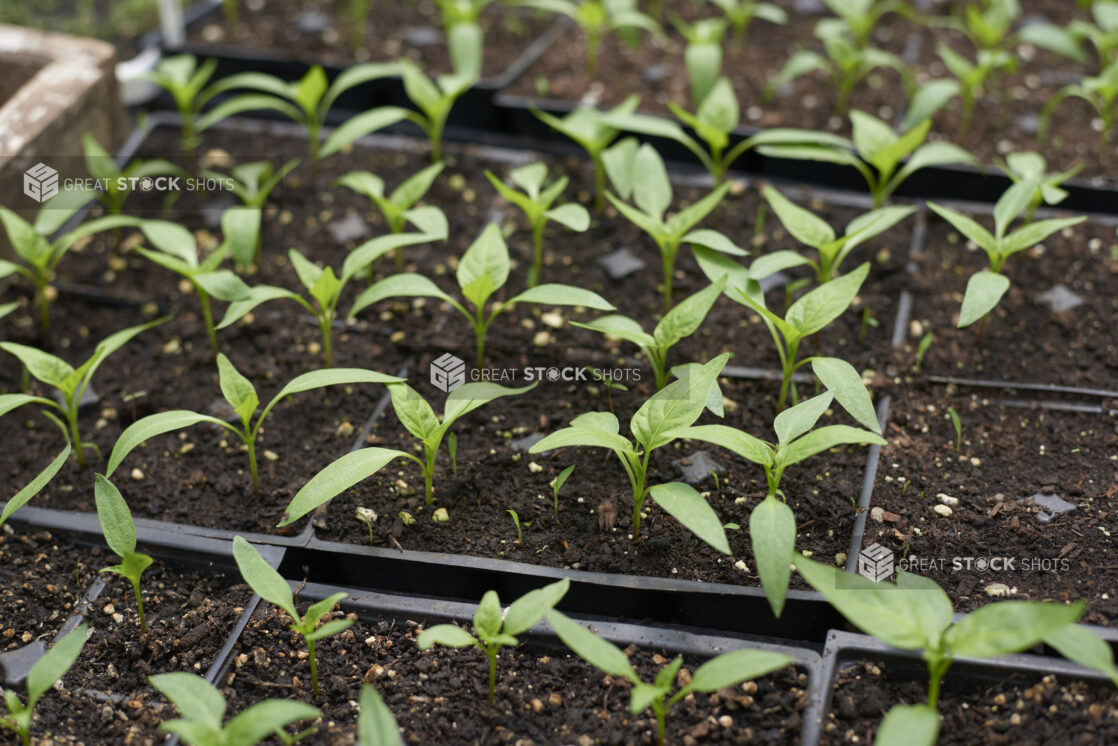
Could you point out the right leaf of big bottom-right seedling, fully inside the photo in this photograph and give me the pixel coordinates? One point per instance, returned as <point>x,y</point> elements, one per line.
<point>1009,627</point>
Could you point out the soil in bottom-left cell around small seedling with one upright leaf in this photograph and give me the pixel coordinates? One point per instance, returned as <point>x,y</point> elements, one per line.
<point>107,696</point>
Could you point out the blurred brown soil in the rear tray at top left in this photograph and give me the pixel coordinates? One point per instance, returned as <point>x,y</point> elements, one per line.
<point>323,32</point>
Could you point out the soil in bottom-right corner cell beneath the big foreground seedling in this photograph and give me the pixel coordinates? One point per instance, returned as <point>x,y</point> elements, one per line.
<point>1021,710</point>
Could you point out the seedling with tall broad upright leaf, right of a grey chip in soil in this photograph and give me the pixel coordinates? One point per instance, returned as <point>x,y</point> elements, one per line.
<point>638,173</point>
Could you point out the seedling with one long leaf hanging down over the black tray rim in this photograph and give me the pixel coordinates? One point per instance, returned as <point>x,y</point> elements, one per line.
<point>772,524</point>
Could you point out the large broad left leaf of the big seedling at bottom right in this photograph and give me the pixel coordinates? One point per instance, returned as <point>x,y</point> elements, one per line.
<point>902,618</point>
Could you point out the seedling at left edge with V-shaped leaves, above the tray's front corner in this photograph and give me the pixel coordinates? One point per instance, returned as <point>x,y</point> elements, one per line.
<point>71,383</point>
